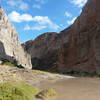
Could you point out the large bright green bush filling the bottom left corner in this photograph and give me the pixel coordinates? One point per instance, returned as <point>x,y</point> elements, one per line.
<point>17,91</point>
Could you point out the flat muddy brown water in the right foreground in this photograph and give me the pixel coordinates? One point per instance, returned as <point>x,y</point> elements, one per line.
<point>75,89</point>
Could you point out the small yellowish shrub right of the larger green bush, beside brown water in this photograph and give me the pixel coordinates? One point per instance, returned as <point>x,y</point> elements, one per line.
<point>47,93</point>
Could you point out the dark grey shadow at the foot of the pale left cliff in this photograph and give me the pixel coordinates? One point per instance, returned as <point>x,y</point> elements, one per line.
<point>4,56</point>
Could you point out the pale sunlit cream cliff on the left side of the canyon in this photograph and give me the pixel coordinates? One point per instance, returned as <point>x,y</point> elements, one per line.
<point>10,47</point>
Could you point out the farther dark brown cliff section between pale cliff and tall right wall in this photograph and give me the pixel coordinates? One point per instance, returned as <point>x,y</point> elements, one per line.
<point>43,50</point>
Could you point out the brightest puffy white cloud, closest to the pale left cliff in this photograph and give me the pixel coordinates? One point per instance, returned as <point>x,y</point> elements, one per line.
<point>17,17</point>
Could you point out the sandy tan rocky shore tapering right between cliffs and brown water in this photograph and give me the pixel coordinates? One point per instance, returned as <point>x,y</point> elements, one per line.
<point>30,76</point>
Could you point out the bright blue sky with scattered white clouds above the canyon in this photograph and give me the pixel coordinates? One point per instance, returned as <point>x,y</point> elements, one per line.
<point>34,17</point>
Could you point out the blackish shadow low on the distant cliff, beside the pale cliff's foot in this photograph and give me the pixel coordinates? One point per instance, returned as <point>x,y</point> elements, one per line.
<point>47,62</point>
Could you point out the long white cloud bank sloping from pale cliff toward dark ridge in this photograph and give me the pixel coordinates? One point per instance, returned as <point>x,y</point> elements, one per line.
<point>41,21</point>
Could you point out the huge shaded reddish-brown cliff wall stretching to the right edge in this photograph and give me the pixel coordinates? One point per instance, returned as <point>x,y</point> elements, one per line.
<point>77,47</point>
